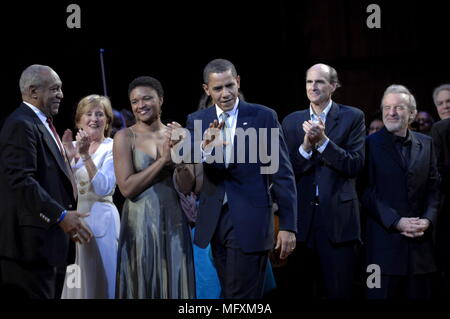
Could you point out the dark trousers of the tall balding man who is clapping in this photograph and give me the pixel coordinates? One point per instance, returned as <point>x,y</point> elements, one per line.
<point>319,268</point>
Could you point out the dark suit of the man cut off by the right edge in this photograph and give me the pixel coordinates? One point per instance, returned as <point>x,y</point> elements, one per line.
<point>440,132</point>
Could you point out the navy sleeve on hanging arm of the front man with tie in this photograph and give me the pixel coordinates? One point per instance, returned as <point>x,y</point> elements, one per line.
<point>283,182</point>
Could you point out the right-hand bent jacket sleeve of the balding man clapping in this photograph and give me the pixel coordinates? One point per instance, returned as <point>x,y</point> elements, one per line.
<point>348,160</point>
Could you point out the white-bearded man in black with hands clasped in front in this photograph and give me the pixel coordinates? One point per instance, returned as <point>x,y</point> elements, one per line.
<point>401,198</point>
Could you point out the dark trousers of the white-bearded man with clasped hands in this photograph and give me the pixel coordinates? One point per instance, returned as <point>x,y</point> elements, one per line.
<point>403,287</point>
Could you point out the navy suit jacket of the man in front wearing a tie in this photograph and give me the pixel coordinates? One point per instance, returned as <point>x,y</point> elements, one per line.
<point>247,189</point>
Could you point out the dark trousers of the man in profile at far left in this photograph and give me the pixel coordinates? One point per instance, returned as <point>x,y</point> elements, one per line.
<point>29,280</point>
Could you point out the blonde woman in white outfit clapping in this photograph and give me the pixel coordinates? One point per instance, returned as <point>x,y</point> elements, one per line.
<point>92,163</point>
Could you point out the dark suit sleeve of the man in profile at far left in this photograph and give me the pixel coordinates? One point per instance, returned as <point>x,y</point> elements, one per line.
<point>18,155</point>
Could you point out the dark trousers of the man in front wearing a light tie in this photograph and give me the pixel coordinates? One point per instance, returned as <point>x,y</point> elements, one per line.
<point>241,274</point>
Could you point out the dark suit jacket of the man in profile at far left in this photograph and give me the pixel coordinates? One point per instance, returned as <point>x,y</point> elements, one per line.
<point>34,189</point>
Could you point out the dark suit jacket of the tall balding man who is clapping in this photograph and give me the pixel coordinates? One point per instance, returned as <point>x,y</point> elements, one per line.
<point>334,171</point>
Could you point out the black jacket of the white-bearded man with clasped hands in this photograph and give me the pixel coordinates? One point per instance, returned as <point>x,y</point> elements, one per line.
<point>393,191</point>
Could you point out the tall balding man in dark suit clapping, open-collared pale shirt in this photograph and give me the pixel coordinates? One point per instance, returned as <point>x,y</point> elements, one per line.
<point>326,147</point>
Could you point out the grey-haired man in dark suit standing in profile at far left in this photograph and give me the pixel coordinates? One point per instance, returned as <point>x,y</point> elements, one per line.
<point>36,192</point>
